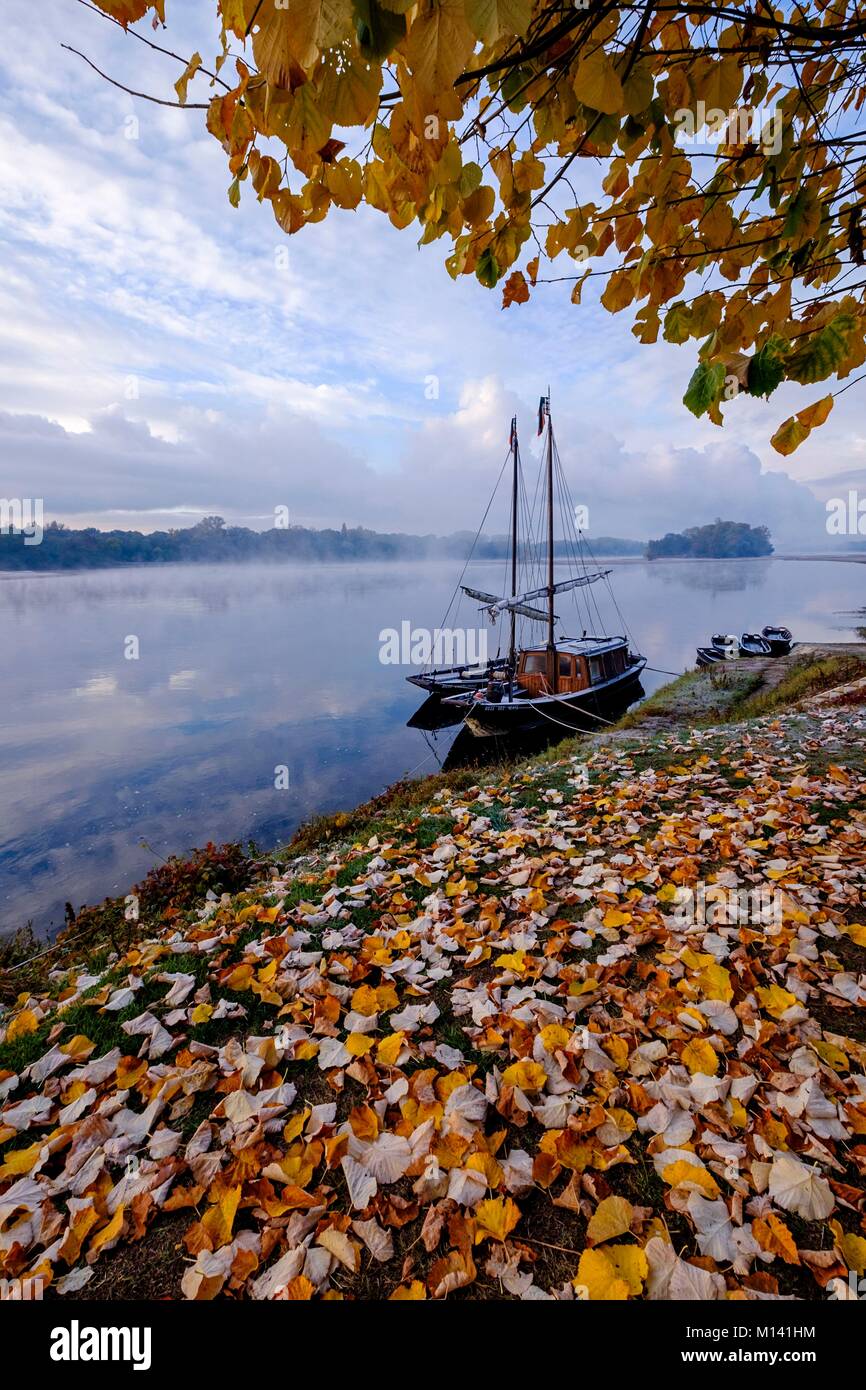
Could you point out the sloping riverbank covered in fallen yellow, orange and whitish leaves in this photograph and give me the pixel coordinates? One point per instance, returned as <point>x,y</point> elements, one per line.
<point>498,1052</point>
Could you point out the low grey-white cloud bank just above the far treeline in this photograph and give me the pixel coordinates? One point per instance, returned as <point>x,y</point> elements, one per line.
<point>441,482</point>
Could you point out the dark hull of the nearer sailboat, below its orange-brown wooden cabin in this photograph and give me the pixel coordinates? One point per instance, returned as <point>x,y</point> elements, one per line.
<point>590,708</point>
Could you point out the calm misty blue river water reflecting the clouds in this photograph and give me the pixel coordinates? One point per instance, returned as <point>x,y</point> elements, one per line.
<point>247,669</point>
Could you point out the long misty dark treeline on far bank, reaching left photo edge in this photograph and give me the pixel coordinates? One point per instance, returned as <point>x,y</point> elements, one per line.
<point>212,541</point>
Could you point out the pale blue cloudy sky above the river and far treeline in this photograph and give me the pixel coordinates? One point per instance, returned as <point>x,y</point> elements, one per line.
<point>162,358</point>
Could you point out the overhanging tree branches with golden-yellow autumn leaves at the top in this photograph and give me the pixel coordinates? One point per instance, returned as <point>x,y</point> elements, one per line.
<point>722,144</point>
